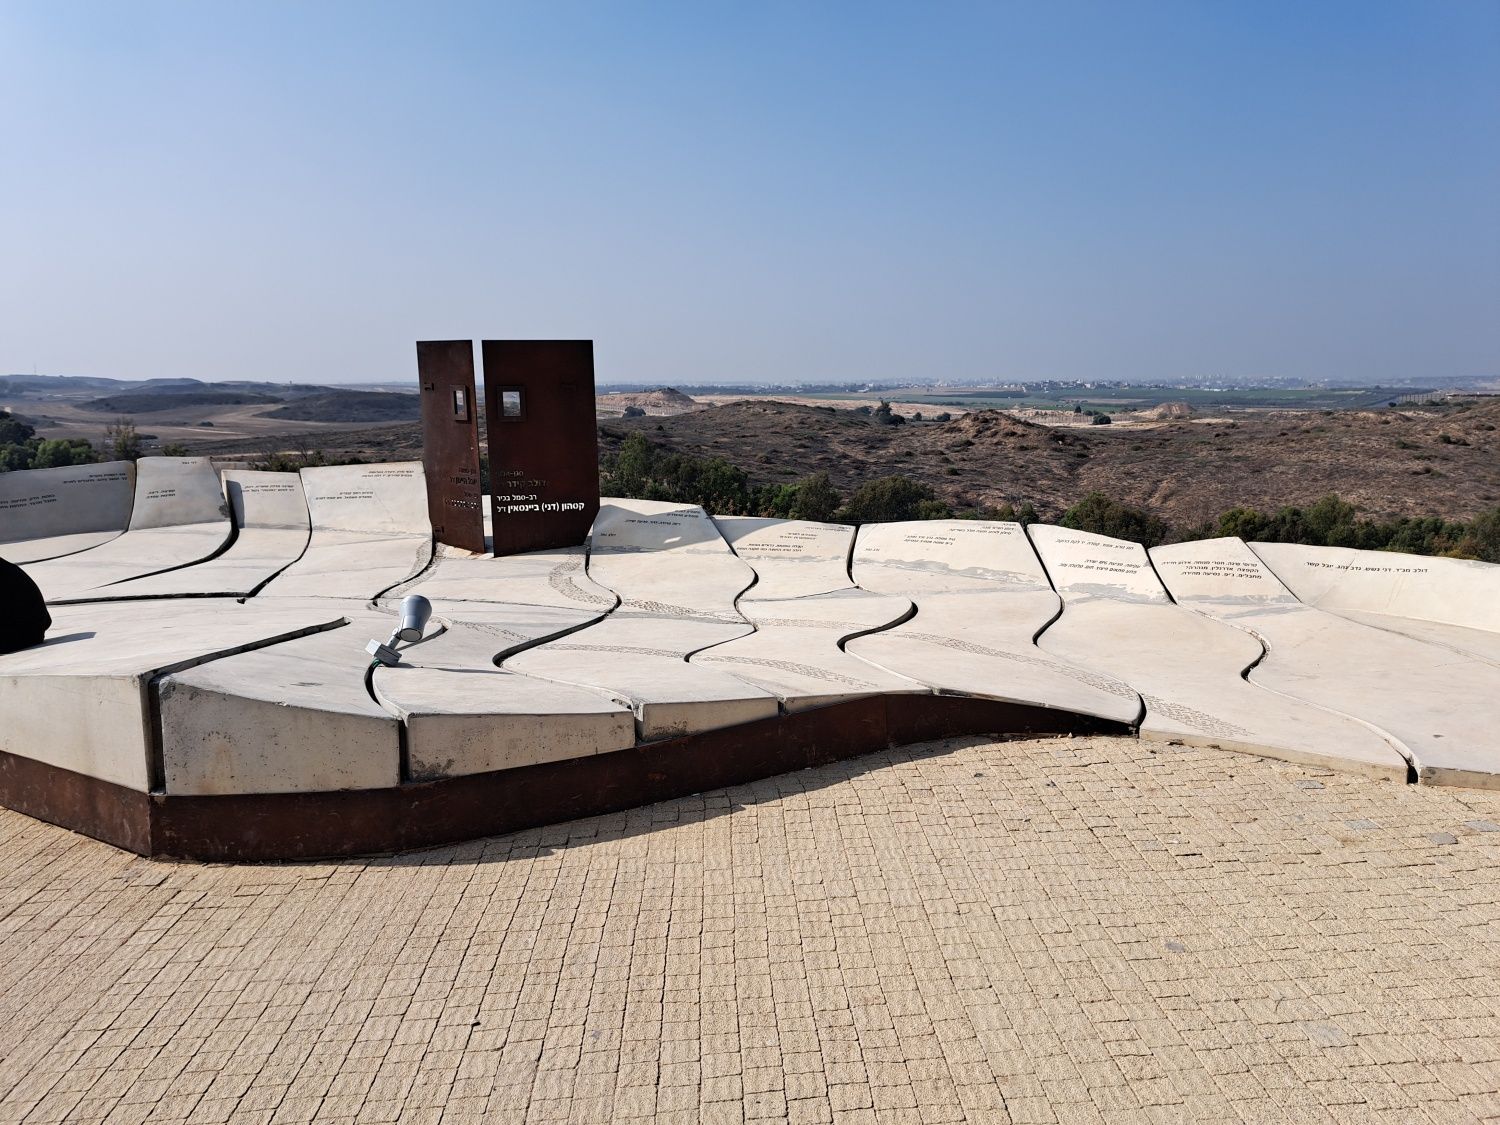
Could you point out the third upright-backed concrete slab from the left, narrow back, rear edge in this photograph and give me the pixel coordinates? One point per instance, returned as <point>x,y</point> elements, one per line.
<point>271,514</point>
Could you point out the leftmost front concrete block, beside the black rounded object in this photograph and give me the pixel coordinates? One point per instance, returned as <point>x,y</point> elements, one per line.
<point>80,700</point>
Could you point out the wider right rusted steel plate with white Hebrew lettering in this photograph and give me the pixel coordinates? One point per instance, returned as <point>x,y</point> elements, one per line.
<point>544,443</point>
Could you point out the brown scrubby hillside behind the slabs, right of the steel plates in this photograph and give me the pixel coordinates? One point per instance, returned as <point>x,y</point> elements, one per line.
<point>1390,463</point>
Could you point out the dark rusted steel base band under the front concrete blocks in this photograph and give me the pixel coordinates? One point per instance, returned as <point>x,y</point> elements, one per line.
<point>283,827</point>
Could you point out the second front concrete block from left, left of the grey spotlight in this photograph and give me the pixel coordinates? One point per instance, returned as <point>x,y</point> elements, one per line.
<point>295,718</point>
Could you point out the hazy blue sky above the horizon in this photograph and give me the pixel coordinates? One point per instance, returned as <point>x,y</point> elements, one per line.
<point>754,191</point>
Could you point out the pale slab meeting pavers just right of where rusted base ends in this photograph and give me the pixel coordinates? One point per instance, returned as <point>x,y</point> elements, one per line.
<point>1189,670</point>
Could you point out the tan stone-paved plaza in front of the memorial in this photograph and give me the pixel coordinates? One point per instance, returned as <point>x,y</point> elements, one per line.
<point>1033,932</point>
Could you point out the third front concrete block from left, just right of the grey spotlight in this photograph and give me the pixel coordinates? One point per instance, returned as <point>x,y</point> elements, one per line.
<point>467,716</point>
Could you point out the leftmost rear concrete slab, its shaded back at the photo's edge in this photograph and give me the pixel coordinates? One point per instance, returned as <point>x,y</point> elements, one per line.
<point>55,512</point>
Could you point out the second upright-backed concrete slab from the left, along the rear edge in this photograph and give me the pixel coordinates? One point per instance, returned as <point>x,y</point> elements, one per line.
<point>179,517</point>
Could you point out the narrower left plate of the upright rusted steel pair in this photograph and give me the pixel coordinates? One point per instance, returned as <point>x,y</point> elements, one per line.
<point>451,443</point>
